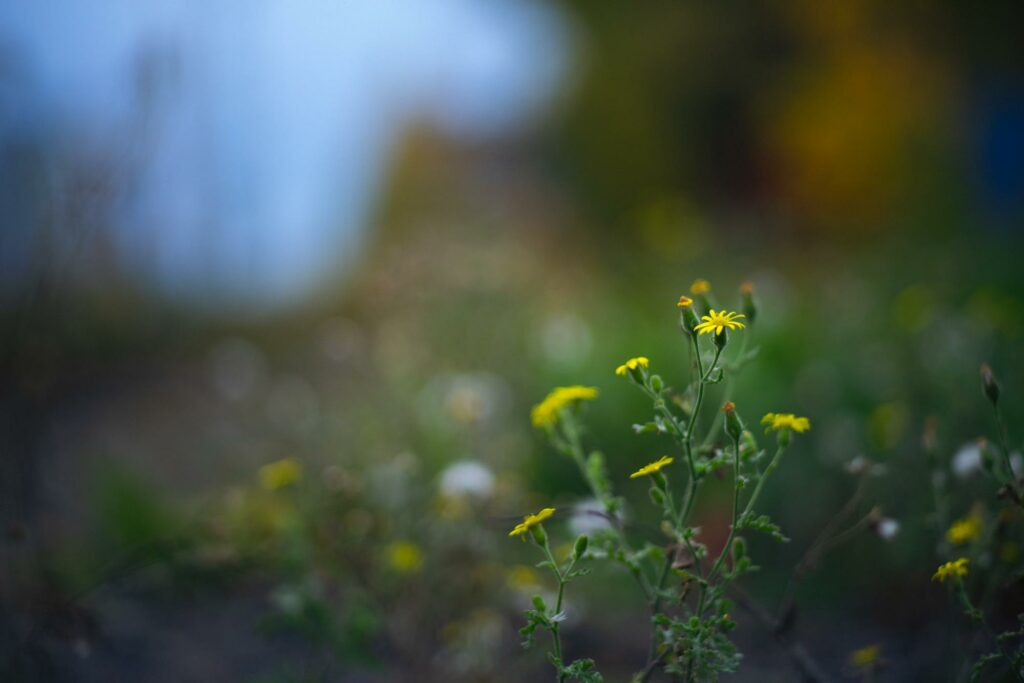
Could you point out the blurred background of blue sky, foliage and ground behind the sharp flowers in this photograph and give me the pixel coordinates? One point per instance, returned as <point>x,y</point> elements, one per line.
<point>356,242</point>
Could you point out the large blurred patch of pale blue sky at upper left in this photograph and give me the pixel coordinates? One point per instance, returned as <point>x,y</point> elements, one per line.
<point>271,123</point>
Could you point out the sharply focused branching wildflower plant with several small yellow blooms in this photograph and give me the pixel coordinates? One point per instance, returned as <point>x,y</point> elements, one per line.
<point>684,582</point>
